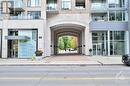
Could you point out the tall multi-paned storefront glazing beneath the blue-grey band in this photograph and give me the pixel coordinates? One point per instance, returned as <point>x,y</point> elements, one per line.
<point>100,43</point>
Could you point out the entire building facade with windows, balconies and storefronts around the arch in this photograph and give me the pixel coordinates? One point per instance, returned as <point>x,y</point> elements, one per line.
<point>29,25</point>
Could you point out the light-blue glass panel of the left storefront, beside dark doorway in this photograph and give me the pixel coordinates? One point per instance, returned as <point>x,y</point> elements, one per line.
<point>27,48</point>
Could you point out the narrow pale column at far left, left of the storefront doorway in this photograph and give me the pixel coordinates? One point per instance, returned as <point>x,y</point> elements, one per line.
<point>4,41</point>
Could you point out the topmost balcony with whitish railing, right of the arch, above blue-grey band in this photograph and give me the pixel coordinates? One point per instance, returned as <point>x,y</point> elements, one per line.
<point>98,7</point>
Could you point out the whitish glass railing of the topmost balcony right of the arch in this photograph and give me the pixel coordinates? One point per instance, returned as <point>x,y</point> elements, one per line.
<point>98,6</point>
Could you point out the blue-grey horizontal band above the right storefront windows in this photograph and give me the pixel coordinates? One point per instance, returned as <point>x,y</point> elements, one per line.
<point>108,25</point>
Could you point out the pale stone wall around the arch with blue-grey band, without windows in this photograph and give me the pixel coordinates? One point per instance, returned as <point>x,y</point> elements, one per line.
<point>61,17</point>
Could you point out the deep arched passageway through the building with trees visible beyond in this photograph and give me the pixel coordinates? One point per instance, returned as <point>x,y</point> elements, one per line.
<point>68,31</point>
